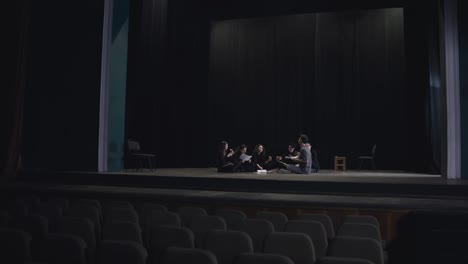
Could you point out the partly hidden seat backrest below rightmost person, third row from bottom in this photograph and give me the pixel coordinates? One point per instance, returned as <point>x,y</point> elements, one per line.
<point>316,232</point>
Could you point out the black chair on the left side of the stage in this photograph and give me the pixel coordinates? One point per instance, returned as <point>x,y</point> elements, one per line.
<point>136,158</point>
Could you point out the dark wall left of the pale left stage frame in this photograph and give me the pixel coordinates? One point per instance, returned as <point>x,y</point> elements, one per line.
<point>62,98</point>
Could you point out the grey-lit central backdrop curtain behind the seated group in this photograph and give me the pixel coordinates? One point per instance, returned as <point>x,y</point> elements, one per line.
<point>339,77</point>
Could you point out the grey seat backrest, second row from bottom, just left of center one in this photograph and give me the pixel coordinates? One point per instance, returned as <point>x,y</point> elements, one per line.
<point>163,237</point>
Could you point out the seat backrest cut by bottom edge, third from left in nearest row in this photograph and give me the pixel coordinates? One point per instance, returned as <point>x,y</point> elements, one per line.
<point>120,252</point>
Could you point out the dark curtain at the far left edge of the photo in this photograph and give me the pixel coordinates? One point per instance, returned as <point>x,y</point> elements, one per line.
<point>13,88</point>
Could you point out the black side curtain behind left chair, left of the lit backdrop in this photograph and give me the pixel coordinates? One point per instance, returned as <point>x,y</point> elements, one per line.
<point>167,81</point>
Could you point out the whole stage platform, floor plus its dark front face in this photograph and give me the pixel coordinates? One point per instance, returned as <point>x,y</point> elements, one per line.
<point>367,189</point>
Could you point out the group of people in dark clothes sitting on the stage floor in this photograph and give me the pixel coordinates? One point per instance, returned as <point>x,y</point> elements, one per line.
<point>304,161</point>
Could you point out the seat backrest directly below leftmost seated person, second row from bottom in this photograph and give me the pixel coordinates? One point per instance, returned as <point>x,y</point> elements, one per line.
<point>226,245</point>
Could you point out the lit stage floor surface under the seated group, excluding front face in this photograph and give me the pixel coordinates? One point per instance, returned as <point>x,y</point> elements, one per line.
<point>362,183</point>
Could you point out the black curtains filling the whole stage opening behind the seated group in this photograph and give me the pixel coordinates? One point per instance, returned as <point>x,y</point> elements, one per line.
<point>348,79</point>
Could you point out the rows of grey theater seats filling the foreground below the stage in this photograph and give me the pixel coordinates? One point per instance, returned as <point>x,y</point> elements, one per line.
<point>85,231</point>
